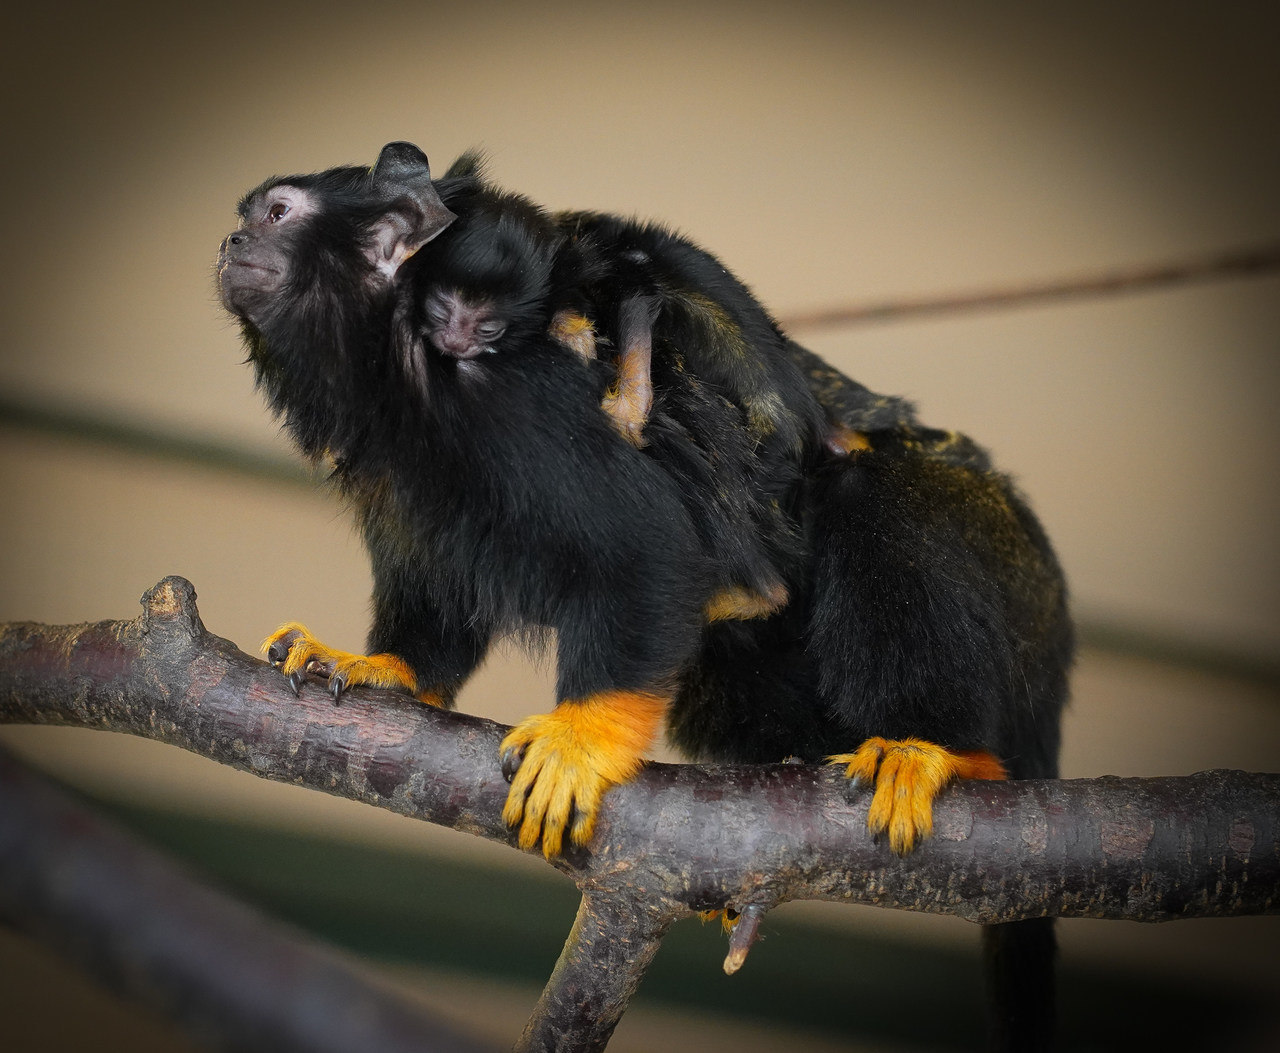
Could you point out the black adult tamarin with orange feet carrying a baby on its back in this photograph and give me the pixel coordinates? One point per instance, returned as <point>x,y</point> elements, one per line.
<point>915,624</point>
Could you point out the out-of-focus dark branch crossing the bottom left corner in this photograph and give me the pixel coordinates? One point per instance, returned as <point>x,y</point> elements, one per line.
<point>232,977</point>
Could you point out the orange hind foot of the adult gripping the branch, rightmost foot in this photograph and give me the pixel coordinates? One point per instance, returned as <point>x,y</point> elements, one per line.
<point>908,775</point>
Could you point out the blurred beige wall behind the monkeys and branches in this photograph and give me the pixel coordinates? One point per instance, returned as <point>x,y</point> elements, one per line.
<point>830,154</point>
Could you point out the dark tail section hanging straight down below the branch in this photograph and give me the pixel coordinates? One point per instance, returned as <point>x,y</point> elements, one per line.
<point>1018,960</point>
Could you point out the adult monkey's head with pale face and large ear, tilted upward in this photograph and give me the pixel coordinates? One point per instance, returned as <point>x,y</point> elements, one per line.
<point>317,250</point>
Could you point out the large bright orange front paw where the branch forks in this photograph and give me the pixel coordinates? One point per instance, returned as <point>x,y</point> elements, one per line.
<point>561,763</point>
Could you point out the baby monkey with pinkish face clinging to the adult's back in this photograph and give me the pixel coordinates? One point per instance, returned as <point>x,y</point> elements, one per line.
<point>506,274</point>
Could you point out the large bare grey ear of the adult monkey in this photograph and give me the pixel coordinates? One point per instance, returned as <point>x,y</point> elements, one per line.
<point>414,214</point>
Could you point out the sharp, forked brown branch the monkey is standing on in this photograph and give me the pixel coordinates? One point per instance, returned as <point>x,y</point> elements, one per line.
<point>679,839</point>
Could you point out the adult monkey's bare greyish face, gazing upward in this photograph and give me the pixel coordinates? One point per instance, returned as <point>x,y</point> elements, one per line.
<point>254,262</point>
